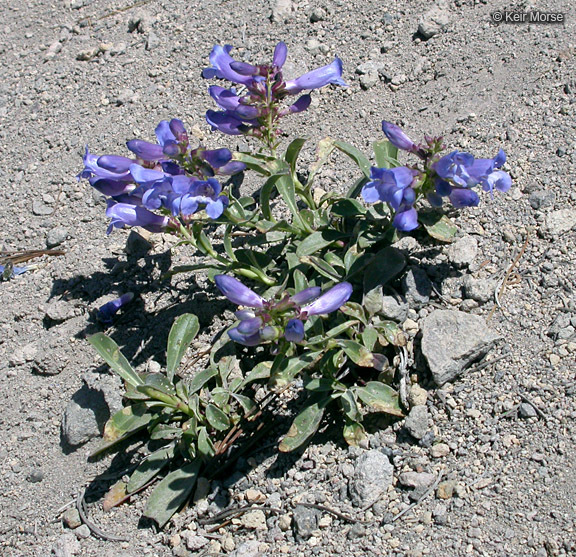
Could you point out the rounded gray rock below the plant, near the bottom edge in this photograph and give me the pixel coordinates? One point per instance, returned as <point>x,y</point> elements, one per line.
<point>372,477</point>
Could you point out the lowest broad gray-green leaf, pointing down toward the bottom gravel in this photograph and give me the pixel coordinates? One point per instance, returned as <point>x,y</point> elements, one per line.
<point>171,493</point>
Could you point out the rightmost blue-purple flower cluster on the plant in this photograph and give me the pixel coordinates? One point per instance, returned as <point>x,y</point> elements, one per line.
<point>452,176</point>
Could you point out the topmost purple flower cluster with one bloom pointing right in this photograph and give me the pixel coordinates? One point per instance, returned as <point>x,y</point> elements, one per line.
<point>257,112</point>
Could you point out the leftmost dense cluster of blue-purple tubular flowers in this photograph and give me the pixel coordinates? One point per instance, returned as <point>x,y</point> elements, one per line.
<point>168,176</point>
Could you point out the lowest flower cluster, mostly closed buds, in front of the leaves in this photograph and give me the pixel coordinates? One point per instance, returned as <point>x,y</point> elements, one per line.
<point>268,320</point>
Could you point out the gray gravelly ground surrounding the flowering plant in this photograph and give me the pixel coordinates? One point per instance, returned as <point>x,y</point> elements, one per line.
<point>489,456</point>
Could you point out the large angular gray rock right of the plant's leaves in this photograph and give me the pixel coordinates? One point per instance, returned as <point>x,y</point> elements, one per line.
<point>452,340</point>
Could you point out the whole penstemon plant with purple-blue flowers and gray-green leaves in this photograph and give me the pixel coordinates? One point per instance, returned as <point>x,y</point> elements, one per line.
<point>317,273</point>
